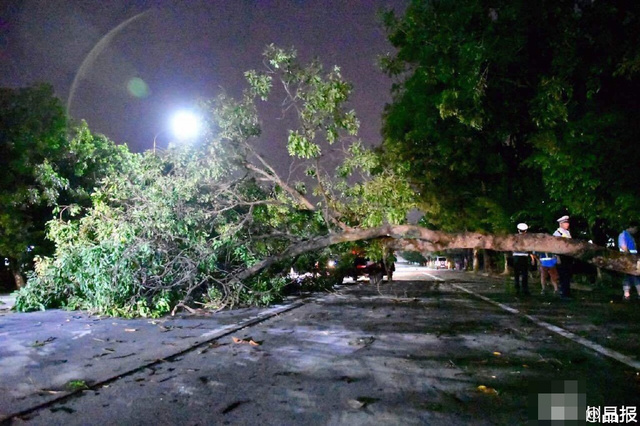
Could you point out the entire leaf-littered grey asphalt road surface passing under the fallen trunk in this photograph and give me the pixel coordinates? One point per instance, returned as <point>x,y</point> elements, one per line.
<point>424,349</point>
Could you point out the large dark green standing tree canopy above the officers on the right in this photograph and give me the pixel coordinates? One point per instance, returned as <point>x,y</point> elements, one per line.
<point>516,110</point>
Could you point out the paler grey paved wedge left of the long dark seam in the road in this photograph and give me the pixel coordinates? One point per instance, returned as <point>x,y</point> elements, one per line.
<point>43,355</point>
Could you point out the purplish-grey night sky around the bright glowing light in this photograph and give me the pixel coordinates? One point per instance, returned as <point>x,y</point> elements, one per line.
<point>183,51</point>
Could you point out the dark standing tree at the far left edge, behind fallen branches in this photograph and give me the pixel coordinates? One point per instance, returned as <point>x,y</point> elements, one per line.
<point>32,132</point>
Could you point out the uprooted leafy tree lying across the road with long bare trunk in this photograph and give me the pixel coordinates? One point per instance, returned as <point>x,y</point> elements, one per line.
<point>216,225</point>
